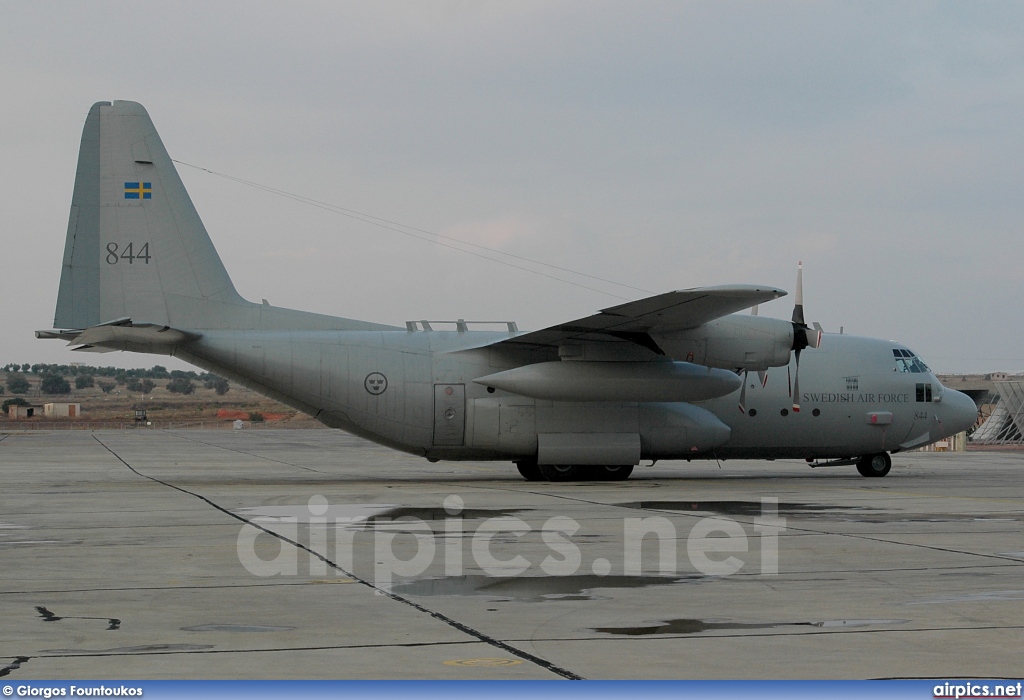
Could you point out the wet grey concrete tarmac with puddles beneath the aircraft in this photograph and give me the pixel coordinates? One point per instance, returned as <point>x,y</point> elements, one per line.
<point>283,554</point>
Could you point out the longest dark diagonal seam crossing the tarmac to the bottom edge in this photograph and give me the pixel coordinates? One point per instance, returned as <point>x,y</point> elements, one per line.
<point>442,618</point>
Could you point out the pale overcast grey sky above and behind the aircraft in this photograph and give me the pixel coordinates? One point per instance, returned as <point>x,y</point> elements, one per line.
<point>660,145</point>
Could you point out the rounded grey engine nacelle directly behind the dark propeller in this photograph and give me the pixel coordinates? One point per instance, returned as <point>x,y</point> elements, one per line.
<point>735,342</point>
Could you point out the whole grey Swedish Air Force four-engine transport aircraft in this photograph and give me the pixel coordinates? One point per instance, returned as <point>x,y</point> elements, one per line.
<point>678,376</point>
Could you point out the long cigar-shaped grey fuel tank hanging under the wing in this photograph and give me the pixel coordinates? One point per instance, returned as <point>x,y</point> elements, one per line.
<point>599,381</point>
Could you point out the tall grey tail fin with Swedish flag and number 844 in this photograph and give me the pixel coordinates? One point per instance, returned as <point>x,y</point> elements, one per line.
<point>137,248</point>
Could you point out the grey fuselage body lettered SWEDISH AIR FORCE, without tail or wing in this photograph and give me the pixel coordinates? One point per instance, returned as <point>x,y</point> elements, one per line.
<point>415,391</point>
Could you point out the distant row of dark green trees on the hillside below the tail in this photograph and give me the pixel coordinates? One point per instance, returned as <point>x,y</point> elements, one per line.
<point>54,379</point>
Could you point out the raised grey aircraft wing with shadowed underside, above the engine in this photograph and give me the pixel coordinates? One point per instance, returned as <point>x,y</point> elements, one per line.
<point>670,312</point>
